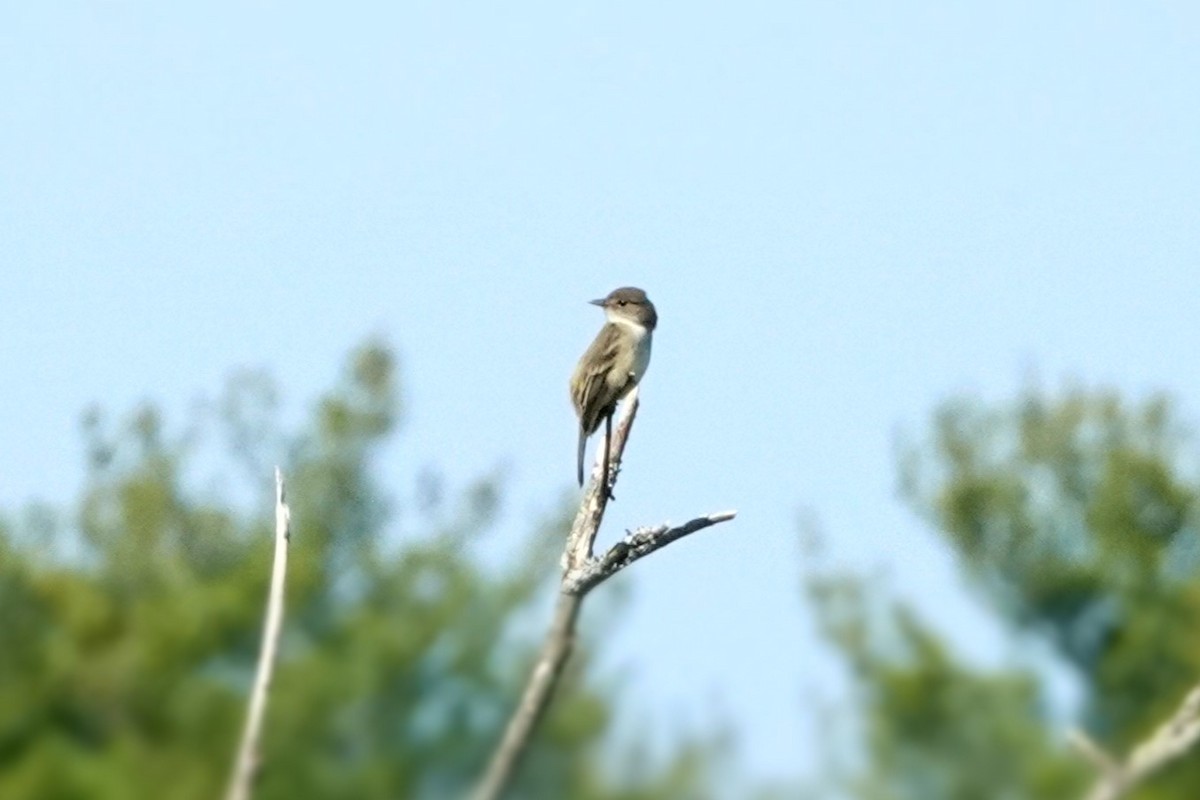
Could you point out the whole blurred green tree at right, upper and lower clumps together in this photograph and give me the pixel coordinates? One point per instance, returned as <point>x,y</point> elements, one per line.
<point>1075,519</point>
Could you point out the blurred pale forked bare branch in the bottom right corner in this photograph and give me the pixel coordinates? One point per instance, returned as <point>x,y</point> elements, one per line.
<point>1172,741</point>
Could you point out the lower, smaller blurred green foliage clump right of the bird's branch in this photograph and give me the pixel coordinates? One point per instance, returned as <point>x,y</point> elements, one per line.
<point>934,727</point>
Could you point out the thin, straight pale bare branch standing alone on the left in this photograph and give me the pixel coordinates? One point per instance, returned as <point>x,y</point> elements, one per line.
<point>249,756</point>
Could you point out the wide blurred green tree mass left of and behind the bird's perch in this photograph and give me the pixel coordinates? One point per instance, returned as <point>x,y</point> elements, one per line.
<point>133,623</point>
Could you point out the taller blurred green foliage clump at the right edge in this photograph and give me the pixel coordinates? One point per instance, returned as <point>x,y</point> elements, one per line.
<point>1076,518</point>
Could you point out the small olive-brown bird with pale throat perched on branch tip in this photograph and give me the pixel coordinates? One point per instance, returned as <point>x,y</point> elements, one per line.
<point>613,365</point>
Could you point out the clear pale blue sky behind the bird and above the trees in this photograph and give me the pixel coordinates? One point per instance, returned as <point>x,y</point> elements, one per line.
<point>845,214</point>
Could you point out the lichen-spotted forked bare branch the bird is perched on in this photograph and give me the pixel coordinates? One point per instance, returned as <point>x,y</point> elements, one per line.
<point>581,573</point>
